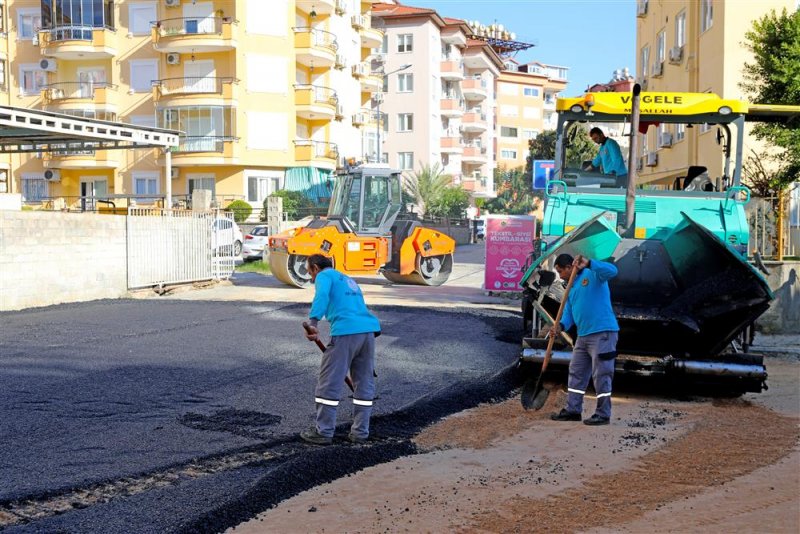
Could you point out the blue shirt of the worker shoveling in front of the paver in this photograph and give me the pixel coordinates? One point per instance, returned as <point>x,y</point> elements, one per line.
<point>589,302</point>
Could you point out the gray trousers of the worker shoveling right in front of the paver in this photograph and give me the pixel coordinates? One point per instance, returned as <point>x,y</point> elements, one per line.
<point>593,357</point>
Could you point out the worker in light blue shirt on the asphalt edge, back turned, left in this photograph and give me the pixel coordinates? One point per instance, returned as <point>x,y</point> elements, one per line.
<point>338,298</point>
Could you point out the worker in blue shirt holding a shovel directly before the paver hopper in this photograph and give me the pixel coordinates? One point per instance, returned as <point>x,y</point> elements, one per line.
<point>589,308</point>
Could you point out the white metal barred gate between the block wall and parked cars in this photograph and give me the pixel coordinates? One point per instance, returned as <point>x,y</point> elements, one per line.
<point>177,246</point>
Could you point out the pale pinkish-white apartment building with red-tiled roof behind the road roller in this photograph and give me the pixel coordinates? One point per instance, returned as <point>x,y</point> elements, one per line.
<point>440,96</point>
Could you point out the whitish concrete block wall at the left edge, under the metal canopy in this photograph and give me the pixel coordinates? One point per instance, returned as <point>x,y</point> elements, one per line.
<point>52,258</point>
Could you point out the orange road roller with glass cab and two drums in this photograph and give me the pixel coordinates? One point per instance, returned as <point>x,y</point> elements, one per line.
<point>363,236</point>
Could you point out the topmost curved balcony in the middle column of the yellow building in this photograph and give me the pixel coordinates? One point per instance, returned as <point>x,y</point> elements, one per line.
<point>194,35</point>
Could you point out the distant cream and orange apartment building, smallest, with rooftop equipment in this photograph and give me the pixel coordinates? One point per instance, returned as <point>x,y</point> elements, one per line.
<point>526,106</point>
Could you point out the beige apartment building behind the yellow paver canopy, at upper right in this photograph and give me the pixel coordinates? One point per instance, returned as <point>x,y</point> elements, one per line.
<point>693,46</point>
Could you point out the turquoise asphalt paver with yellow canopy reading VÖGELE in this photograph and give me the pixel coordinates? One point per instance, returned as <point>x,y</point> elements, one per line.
<point>685,296</point>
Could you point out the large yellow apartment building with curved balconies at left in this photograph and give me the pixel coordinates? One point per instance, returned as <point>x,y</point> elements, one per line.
<point>266,94</point>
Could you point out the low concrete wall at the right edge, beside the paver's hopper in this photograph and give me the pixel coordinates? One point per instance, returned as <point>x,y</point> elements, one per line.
<point>783,317</point>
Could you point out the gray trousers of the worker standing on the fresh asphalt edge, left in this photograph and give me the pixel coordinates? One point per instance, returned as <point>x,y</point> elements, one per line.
<point>354,353</point>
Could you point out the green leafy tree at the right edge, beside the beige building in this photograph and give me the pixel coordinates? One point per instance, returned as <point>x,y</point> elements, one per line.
<point>774,78</point>
